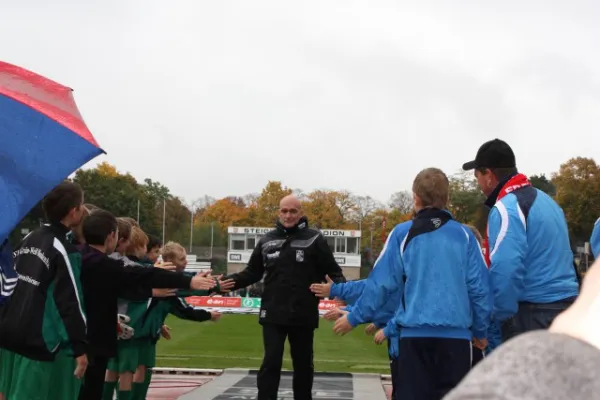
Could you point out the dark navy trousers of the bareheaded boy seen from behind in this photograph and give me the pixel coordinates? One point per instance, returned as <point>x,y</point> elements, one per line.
<point>428,368</point>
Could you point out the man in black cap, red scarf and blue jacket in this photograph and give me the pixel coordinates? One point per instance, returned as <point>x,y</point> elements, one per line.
<point>531,262</point>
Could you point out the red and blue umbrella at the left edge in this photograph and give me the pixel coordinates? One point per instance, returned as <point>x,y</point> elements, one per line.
<point>43,139</point>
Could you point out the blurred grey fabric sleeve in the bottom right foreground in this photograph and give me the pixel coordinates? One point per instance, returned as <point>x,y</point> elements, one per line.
<point>535,366</point>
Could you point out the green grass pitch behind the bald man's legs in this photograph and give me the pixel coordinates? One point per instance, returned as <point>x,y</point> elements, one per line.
<point>236,342</point>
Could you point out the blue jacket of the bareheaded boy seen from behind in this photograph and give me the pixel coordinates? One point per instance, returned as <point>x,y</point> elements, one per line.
<point>437,266</point>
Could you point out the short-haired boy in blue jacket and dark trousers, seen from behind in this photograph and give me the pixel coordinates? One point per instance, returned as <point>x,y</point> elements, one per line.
<point>437,266</point>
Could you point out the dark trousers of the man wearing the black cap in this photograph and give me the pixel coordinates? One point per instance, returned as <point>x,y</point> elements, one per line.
<point>533,316</point>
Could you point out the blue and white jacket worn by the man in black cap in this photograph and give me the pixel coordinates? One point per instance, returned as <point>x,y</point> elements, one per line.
<point>530,253</point>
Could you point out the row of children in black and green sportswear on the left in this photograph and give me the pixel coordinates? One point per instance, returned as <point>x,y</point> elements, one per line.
<point>91,304</point>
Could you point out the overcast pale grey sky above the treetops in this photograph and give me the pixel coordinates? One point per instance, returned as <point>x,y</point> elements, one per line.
<point>218,97</point>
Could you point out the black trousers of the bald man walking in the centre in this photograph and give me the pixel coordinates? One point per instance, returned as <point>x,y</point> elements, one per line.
<point>301,349</point>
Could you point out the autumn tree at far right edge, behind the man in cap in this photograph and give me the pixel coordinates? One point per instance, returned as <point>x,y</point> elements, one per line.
<point>578,193</point>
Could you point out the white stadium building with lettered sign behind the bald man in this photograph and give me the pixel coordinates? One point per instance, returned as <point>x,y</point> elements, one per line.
<point>344,244</point>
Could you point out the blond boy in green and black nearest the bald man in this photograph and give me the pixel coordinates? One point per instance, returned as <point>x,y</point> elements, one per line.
<point>153,326</point>
